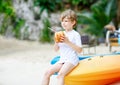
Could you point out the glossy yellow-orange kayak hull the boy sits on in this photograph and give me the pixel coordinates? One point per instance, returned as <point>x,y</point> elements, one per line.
<point>95,71</point>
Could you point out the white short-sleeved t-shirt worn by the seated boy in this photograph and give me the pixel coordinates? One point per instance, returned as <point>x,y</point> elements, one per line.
<point>66,52</point>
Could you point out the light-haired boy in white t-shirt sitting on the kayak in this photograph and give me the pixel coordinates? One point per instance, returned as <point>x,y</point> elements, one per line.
<point>69,47</point>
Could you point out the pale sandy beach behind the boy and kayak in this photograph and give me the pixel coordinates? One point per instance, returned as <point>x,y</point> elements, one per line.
<point>24,62</point>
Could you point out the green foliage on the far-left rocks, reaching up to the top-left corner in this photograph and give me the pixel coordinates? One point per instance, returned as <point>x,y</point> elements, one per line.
<point>10,18</point>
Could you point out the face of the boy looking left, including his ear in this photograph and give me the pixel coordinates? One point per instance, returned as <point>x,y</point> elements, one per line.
<point>67,24</point>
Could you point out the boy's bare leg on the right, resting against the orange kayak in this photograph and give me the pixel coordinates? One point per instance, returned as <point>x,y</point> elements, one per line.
<point>66,68</point>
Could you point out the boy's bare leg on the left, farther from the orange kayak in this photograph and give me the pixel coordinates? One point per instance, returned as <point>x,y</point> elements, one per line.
<point>46,77</point>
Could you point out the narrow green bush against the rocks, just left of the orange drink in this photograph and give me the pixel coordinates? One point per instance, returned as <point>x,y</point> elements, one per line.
<point>45,35</point>
